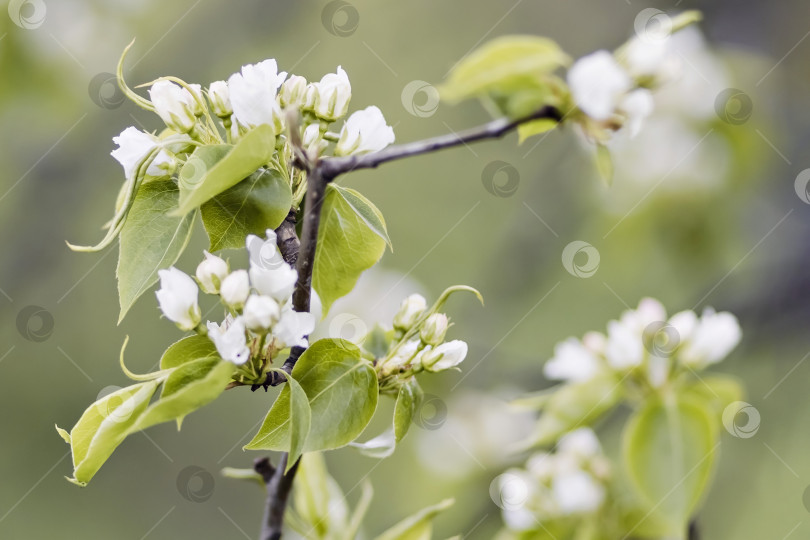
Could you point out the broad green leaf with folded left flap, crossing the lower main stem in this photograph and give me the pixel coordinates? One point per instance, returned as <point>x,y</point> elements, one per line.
<point>331,372</point>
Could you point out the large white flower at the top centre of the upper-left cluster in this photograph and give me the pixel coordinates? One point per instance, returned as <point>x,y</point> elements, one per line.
<point>253,94</point>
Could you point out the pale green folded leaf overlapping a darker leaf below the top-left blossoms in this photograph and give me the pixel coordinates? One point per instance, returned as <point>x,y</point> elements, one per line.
<point>212,169</point>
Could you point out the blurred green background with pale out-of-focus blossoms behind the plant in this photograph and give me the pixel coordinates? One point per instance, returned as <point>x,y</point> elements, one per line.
<point>709,207</point>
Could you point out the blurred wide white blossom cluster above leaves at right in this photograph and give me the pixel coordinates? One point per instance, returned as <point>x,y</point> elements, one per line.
<point>645,341</point>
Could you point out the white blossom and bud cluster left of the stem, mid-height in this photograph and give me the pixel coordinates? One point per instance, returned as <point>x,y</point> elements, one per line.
<point>261,320</point>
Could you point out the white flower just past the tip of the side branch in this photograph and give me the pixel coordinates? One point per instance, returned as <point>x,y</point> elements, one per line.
<point>597,84</point>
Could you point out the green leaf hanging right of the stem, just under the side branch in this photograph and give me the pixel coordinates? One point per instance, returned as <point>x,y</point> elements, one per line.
<point>351,239</point>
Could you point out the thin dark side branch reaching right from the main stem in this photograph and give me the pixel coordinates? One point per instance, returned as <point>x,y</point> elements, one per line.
<point>333,167</point>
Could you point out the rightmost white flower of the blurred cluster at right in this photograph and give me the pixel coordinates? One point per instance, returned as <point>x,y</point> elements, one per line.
<point>714,337</point>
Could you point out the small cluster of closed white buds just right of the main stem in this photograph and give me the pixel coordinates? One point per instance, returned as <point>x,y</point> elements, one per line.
<point>426,351</point>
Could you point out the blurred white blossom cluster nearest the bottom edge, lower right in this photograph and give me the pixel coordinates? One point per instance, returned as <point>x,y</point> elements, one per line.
<point>568,482</point>
